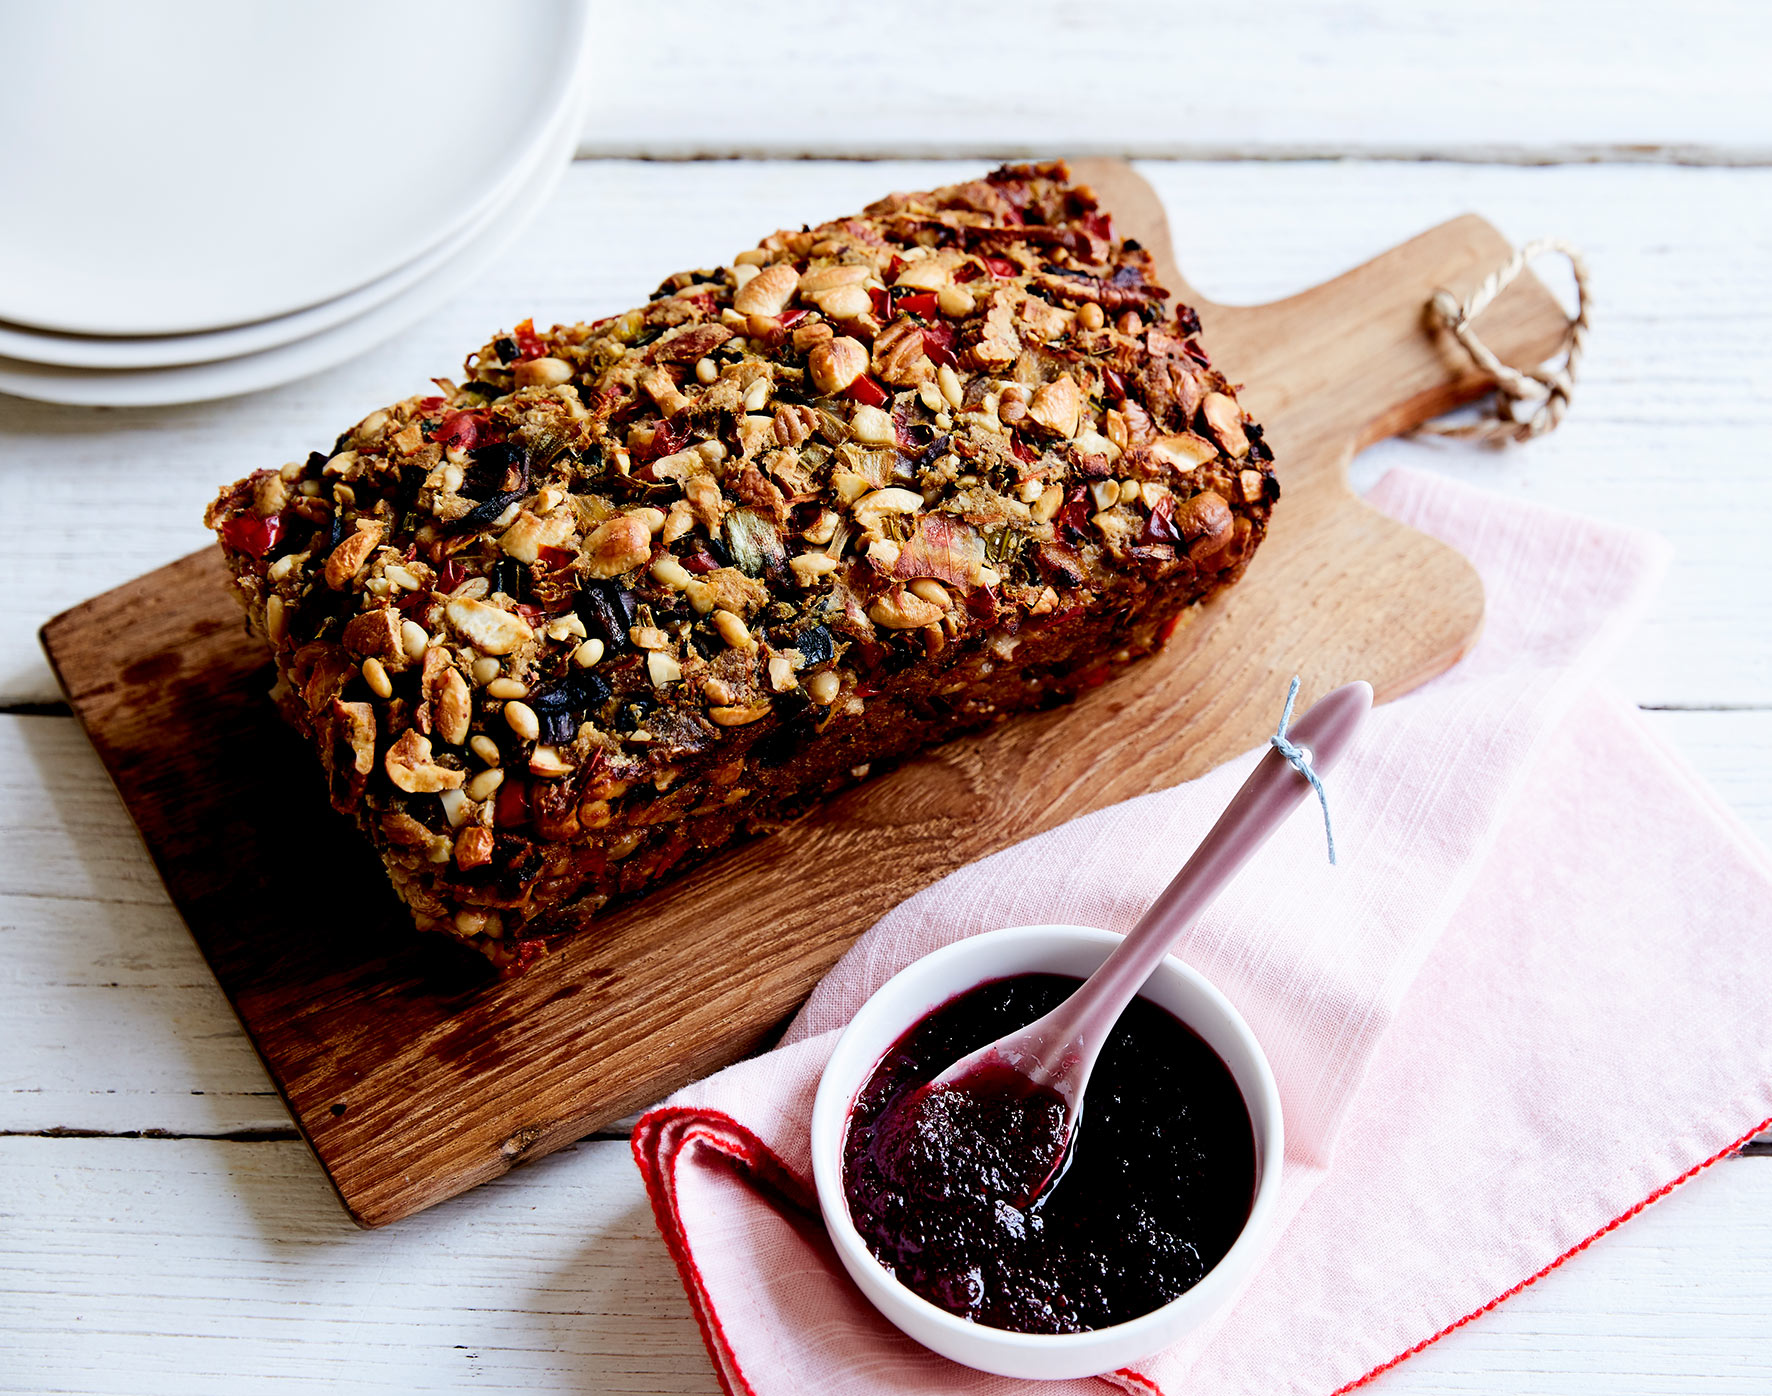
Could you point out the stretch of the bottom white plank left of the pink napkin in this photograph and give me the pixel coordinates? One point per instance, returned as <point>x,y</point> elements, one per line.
<point>155,1266</point>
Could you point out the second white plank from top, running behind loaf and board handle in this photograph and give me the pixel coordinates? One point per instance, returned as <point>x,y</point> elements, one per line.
<point>1684,336</point>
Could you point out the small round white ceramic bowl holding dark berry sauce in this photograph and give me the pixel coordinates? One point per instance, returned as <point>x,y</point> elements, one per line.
<point>940,977</point>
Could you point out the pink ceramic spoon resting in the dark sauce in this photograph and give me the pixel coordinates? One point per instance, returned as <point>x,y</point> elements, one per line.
<point>1057,1053</point>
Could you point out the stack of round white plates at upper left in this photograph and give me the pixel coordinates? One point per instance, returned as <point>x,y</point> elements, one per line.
<point>206,198</point>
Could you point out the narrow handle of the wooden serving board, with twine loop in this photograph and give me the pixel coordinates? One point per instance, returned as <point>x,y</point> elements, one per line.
<point>1362,359</point>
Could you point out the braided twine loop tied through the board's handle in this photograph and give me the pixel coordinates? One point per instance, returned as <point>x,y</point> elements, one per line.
<point>1544,394</point>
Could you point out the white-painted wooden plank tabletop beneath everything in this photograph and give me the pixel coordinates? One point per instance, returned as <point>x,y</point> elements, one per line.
<point>164,1230</point>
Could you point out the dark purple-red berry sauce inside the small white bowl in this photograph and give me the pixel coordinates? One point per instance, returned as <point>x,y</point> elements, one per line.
<point>1156,1186</point>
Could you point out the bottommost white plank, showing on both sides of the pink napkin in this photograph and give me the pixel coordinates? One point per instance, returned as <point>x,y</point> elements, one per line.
<point>196,1268</point>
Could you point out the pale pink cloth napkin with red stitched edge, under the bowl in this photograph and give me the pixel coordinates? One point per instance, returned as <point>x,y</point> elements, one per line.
<point>1528,1002</point>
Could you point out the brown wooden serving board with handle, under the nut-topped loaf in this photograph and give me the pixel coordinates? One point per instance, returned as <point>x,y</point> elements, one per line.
<point>416,1080</point>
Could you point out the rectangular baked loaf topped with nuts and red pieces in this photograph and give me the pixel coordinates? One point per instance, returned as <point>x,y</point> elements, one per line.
<point>641,587</point>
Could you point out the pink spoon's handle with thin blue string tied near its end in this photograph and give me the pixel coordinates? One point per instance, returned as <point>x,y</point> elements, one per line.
<point>1255,812</point>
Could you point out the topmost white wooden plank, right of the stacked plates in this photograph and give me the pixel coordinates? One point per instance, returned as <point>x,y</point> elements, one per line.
<point>1429,81</point>
